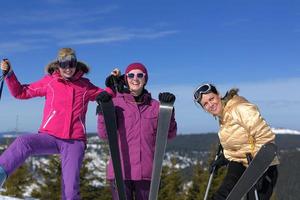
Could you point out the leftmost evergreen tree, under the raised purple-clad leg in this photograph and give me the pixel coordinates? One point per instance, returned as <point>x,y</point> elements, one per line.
<point>16,184</point>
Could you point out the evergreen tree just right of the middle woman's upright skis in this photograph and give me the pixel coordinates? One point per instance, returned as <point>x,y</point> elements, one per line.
<point>171,183</point>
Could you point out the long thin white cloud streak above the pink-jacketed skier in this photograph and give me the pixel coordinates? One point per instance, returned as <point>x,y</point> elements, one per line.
<point>30,39</point>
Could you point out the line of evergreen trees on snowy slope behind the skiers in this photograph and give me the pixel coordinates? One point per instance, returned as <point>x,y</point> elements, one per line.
<point>45,181</point>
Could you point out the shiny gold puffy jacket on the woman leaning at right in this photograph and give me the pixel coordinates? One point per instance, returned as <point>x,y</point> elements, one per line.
<point>243,130</point>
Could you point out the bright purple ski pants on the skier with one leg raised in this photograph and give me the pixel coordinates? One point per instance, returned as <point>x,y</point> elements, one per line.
<point>71,154</point>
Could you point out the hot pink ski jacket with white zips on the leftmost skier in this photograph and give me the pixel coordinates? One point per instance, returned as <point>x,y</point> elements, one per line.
<point>66,102</point>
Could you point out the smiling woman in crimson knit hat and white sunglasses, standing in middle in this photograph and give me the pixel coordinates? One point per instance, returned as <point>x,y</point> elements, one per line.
<point>137,120</point>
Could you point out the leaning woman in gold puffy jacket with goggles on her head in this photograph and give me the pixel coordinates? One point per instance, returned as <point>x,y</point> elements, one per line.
<point>242,131</point>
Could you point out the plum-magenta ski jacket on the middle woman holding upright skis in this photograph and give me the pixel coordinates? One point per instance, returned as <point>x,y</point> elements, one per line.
<point>137,126</point>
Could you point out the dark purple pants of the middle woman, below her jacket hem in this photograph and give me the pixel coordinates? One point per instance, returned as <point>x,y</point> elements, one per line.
<point>138,190</point>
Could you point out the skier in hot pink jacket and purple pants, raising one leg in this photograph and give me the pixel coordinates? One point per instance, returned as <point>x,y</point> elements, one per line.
<point>63,130</point>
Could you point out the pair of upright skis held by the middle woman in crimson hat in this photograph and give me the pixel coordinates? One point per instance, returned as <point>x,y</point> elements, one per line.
<point>165,113</point>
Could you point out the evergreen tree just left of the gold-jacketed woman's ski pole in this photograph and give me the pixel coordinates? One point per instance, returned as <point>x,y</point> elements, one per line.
<point>198,187</point>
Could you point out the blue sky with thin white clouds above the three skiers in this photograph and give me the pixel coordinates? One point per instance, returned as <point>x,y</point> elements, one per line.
<point>253,45</point>
